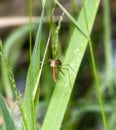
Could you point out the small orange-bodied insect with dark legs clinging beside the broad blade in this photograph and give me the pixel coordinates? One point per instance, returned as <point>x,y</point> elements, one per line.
<point>55,64</point>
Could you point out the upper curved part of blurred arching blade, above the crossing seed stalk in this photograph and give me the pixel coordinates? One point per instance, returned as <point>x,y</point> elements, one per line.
<point>15,41</point>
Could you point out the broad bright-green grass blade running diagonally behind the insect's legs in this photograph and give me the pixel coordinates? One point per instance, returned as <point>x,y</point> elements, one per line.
<point>74,55</point>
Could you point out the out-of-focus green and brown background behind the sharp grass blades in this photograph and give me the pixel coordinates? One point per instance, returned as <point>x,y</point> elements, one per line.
<point>83,112</point>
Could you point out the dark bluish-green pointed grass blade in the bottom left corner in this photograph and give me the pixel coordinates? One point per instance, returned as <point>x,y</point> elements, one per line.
<point>6,115</point>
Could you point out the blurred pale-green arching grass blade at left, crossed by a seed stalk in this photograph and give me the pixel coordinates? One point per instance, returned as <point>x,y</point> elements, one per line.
<point>12,46</point>
